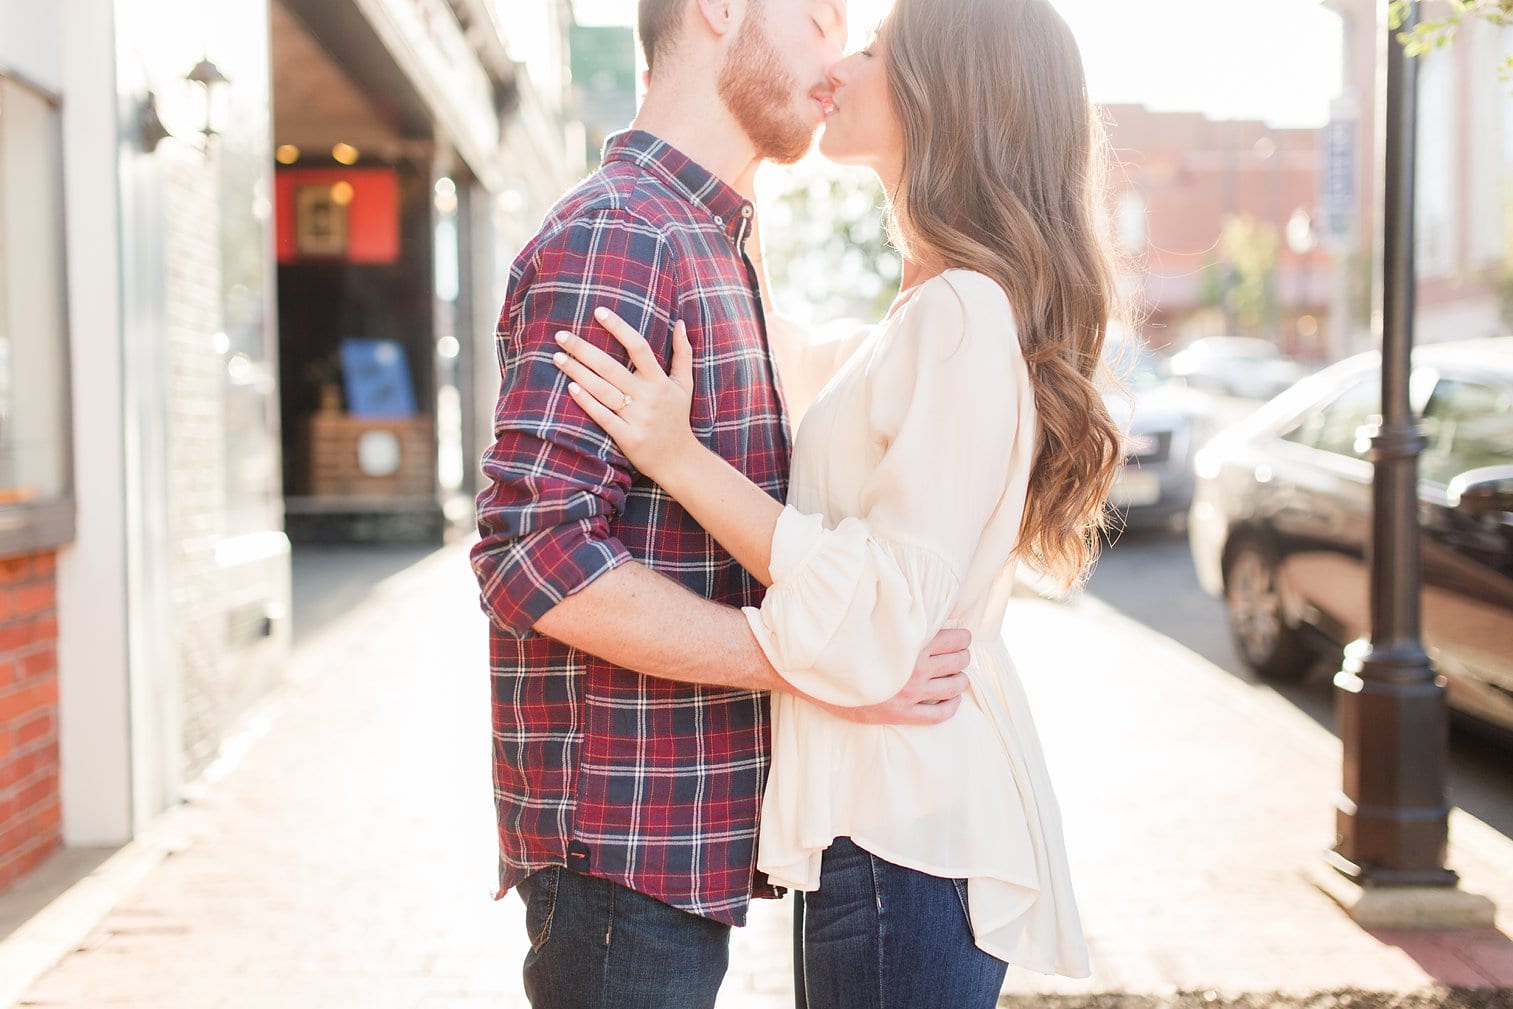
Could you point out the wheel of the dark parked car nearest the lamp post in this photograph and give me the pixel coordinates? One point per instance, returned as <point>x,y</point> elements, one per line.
<point>1263,635</point>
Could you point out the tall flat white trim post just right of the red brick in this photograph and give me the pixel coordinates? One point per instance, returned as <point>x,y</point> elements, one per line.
<point>95,712</point>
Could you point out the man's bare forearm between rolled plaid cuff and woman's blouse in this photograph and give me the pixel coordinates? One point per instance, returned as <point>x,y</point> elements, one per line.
<point>641,621</point>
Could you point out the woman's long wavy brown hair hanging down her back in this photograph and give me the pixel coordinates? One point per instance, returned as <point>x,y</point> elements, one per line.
<point>1004,175</point>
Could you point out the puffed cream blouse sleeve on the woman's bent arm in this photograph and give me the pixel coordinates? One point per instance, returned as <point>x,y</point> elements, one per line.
<point>851,607</point>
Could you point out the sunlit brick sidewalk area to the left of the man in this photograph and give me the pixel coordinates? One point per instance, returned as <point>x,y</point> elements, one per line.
<point>347,862</point>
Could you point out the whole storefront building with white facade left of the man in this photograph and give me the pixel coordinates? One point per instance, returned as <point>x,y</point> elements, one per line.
<point>250,264</point>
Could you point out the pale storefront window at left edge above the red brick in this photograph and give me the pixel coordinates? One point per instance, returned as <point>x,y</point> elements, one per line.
<point>34,338</point>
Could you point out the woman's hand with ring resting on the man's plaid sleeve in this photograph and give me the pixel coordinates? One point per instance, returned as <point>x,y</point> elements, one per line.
<point>645,411</point>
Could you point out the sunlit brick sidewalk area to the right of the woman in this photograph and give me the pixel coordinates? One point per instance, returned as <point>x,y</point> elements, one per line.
<point>1193,804</point>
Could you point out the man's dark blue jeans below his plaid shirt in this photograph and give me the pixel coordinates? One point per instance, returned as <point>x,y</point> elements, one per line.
<point>600,946</point>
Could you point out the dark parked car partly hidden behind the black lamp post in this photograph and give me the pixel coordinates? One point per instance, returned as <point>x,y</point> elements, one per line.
<point>1281,523</point>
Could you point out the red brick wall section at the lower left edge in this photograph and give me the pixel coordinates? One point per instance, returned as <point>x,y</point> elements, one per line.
<point>30,804</point>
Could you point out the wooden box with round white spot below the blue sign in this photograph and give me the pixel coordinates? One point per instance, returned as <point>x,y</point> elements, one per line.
<point>335,471</point>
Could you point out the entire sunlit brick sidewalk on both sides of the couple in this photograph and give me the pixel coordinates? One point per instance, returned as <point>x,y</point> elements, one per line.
<point>349,860</point>
